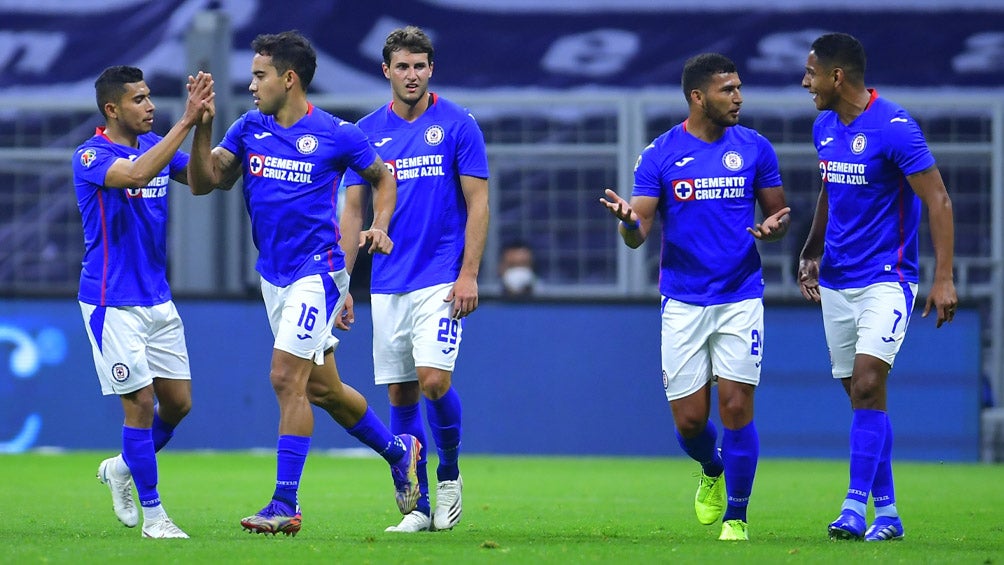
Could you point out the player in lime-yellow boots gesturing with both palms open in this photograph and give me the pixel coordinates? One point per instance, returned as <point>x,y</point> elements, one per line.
<point>704,179</point>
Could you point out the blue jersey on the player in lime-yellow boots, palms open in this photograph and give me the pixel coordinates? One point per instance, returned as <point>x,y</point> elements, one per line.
<point>707,200</point>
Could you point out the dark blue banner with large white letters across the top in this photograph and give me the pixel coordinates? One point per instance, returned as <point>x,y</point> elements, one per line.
<point>58,49</point>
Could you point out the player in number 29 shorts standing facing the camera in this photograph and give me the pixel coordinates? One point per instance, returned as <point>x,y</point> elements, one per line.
<point>422,294</point>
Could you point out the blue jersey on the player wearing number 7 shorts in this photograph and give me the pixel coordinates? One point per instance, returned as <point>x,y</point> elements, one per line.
<point>874,213</point>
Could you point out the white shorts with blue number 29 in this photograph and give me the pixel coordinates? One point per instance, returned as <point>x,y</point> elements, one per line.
<point>414,330</point>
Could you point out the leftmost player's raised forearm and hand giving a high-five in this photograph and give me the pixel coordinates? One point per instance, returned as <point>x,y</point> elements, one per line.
<point>126,174</point>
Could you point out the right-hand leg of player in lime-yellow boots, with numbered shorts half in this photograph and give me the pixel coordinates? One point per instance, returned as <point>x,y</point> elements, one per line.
<point>737,351</point>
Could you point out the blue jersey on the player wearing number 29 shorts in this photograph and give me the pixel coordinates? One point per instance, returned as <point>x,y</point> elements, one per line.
<point>428,157</point>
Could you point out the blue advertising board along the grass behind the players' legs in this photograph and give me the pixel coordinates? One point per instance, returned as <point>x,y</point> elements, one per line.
<point>536,379</point>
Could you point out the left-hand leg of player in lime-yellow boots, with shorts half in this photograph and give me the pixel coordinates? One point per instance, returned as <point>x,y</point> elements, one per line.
<point>687,382</point>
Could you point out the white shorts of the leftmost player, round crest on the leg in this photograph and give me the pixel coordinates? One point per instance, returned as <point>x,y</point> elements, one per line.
<point>133,346</point>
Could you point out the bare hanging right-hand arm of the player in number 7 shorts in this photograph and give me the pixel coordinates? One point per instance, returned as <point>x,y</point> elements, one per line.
<point>930,187</point>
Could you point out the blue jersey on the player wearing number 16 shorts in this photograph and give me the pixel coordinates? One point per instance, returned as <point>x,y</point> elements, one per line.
<point>292,179</point>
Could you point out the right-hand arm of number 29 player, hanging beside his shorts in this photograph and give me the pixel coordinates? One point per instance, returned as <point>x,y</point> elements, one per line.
<point>464,294</point>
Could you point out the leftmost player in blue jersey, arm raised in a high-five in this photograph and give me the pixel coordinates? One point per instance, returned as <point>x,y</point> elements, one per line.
<point>122,176</point>
